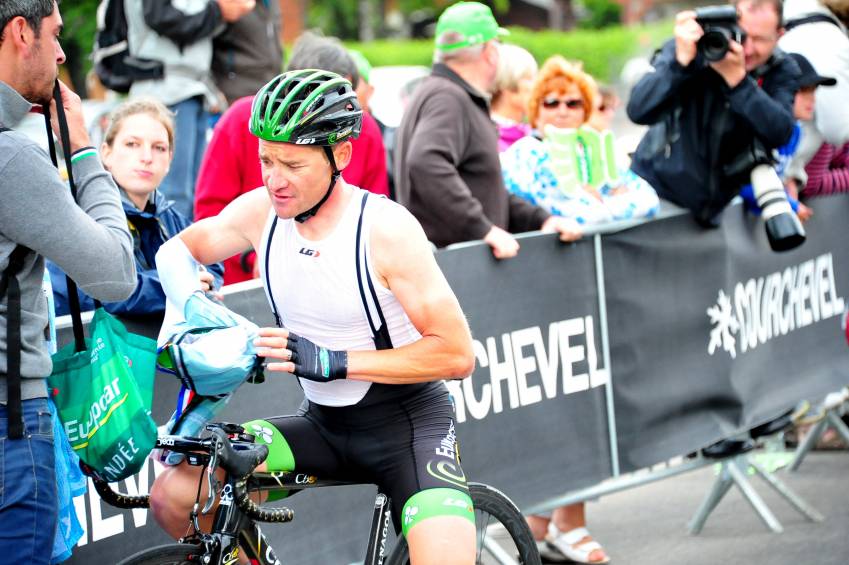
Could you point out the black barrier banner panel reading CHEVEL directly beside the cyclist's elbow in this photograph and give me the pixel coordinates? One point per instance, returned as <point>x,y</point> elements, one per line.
<point>532,417</point>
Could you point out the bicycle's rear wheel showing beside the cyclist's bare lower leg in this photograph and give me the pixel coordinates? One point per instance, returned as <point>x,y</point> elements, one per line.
<point>503,535</point>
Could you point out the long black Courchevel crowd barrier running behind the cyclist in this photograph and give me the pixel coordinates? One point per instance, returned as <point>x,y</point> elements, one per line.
<point>594,359</point>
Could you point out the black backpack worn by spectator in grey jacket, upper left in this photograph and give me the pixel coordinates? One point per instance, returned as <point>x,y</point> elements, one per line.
<point>114,65</point>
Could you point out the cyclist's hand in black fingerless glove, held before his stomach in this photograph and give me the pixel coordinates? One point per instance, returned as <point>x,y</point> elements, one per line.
<point>300,356</point>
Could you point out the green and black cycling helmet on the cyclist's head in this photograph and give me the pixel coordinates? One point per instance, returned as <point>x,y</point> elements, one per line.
<point>306,107</point>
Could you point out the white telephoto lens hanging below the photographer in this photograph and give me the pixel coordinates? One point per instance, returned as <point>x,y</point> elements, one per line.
<point>783,228</point>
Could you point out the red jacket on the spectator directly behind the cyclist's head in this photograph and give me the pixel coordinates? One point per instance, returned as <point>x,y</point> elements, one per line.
<point>230,168</point>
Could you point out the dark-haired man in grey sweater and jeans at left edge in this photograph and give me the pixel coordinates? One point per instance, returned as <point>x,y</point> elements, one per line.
<point>90,242</point>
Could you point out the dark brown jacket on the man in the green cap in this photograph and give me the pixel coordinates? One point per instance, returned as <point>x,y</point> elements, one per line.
<point>447,169</point>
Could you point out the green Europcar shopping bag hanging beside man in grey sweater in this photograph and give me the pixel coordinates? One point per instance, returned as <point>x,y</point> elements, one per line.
<point>103,394</point>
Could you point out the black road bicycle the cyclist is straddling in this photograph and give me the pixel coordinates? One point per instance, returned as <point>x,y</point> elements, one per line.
<point>235,529</point>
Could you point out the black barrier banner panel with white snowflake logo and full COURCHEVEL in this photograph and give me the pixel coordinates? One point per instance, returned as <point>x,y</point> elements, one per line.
<point>712,333</point>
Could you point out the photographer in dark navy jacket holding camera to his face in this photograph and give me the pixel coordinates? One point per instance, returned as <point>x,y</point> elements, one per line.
<point>707,111</point>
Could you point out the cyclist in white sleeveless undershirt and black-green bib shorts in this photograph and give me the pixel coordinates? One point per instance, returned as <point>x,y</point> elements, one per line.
<point>373,412</point>
